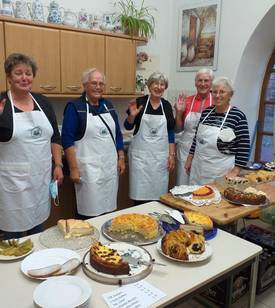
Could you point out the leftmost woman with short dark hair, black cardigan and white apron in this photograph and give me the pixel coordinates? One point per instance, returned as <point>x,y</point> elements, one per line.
<point>25,157</point>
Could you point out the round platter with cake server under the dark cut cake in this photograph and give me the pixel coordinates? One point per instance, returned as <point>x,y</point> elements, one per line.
<point>137,271</point>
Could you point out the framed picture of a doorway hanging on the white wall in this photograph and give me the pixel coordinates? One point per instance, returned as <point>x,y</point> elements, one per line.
<point>198,35</point>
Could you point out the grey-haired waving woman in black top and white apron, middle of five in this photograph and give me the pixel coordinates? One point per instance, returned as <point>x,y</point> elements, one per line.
<point>151,152</point>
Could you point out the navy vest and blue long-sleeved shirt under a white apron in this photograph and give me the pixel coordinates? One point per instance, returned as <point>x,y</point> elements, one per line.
<point>75,118</point>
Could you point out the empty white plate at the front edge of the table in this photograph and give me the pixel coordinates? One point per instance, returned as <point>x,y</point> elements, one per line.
<point>63,292</point>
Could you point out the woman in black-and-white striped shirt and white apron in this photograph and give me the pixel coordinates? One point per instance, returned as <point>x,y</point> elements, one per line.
<point>221,143</point>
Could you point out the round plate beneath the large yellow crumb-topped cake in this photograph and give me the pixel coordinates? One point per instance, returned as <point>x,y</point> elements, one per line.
<point>130,237</point>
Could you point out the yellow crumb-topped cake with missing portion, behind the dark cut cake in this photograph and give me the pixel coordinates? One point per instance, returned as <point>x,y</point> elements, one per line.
<point>143,224</point>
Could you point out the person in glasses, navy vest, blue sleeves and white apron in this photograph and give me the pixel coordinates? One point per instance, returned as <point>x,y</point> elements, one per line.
<point>95,158</point>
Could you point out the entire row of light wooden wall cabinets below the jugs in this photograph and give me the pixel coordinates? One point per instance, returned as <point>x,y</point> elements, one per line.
<point>62,53</point>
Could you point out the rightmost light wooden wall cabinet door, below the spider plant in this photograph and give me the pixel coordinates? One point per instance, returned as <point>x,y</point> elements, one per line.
<point>120,65</point>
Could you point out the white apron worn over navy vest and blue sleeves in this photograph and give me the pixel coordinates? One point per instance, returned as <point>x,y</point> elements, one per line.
<point>97,161</point>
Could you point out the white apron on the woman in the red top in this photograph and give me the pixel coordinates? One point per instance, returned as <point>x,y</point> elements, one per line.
<point>185,142</point>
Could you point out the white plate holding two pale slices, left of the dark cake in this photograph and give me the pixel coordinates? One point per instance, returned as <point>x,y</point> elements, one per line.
<point>47,257</point>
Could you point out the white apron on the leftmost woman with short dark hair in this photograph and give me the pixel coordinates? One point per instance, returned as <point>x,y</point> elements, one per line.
<point>25,171</point>
